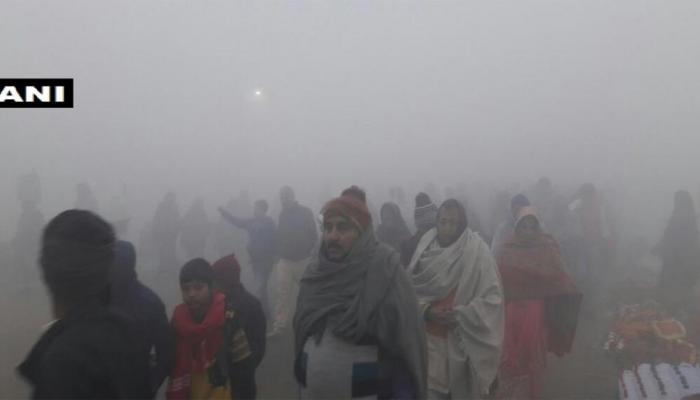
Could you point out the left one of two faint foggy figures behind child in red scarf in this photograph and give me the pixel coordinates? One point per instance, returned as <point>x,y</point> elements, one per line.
<point>165,230</point>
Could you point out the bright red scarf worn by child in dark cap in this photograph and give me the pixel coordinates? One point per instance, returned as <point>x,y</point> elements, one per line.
<point>197,344</point>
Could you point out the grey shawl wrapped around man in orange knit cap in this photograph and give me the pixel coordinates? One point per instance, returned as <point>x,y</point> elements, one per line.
<point>368,295</point>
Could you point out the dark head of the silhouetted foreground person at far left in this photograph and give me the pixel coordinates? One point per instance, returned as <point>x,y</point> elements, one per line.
<point>77,254</point>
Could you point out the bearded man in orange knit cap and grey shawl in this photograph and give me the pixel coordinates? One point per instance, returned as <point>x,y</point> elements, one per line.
<point>358,333</point>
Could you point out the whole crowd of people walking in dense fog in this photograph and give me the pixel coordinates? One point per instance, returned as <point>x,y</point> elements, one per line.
<point>450,308</point>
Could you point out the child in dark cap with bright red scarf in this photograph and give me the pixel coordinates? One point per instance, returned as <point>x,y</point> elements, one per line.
<point>198,325</point>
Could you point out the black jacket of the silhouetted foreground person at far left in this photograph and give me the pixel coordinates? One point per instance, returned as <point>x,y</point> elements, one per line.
<point>90,354</point>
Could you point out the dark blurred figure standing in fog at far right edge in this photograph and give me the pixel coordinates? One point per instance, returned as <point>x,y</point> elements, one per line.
<point>679,250</point>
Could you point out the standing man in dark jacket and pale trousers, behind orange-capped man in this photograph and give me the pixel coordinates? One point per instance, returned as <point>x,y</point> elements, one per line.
<point>297,236</point>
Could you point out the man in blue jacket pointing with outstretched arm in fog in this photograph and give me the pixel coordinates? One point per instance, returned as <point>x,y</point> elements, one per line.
<point>262,246</point>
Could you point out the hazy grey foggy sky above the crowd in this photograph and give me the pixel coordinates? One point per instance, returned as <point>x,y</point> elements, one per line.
<point>361,91</point>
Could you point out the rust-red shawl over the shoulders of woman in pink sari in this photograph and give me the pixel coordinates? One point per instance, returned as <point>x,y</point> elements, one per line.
<point>535,270</point>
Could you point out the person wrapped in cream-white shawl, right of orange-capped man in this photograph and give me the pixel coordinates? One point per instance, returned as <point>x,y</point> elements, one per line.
<point>458,287</point>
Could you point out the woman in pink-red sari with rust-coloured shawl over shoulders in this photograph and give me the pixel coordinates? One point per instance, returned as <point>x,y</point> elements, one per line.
<point>542,306</point>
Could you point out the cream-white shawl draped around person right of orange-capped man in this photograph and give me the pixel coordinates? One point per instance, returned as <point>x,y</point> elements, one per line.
<point>474,346</point>
